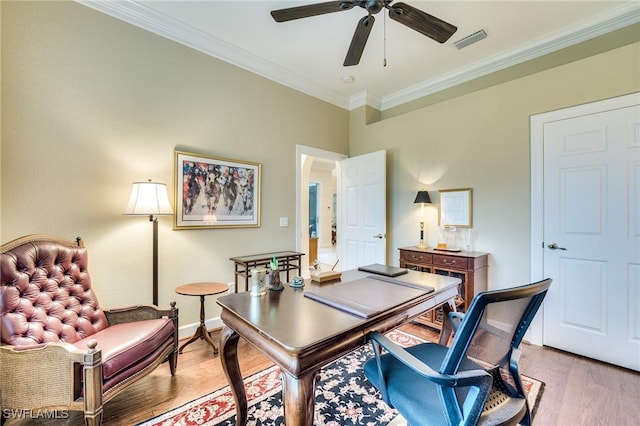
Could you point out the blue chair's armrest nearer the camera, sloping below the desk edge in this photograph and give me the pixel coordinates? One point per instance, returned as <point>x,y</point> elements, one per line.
<point>462,378</point>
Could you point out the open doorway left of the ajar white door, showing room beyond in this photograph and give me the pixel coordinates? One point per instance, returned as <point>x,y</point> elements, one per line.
<point>317,188</point>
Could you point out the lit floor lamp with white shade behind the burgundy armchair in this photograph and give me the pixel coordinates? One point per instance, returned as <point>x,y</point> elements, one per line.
<point>150,199</point>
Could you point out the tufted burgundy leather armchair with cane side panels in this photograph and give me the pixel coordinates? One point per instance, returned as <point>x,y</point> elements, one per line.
<point>60,350</point>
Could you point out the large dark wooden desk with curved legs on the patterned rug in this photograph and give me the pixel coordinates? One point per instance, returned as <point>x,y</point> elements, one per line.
<point>296,334</point>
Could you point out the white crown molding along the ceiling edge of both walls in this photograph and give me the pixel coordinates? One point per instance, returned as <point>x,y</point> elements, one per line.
<point>148,19</point>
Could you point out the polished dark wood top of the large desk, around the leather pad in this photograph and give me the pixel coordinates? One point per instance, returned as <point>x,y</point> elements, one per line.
<point>297,323</point>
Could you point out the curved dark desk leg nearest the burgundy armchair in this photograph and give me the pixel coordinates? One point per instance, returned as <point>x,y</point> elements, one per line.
<point>229,358</point>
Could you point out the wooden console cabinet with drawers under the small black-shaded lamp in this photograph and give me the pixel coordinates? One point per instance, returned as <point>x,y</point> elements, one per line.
<point>470,267</point>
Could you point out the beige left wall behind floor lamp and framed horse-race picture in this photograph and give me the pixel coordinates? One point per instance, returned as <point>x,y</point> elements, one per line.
<point>91,104</point>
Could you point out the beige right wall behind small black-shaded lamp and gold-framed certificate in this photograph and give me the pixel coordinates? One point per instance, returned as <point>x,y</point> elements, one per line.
<point>481,140</point>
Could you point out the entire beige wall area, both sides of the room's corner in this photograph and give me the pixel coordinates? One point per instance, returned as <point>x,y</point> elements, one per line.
<point>91,104</point>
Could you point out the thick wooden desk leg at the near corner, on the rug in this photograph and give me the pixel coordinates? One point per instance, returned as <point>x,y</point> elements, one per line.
<point>299,399</point>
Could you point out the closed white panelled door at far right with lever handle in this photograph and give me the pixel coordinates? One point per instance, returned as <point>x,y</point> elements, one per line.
<point>592,235</point>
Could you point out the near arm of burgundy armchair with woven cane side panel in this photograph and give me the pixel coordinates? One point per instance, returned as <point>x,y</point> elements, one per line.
<point>24,371</point>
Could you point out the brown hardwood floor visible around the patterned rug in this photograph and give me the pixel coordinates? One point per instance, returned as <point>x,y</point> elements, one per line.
<point>578,391</point>
